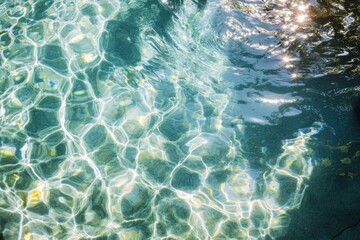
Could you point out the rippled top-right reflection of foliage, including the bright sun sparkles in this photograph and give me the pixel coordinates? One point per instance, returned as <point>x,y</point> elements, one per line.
<point>323,35</point>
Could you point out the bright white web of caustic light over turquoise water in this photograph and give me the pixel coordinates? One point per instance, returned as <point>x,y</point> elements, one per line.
<point>114,124</point>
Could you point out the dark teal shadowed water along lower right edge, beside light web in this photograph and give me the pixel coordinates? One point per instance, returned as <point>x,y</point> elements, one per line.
<point>330,207</point>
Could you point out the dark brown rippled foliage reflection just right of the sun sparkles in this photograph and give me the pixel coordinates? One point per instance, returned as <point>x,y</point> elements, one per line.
<point>334,35</point>
